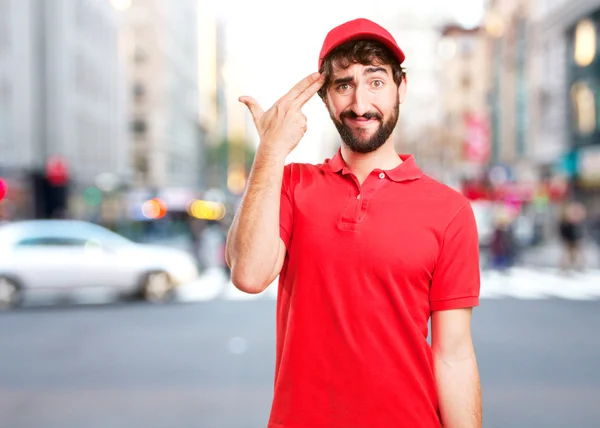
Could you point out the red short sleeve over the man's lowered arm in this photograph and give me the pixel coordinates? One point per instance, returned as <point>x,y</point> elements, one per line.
<point>456,277</point>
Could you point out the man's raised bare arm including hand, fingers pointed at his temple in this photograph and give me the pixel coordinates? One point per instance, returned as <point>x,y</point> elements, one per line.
<point>254,250</point>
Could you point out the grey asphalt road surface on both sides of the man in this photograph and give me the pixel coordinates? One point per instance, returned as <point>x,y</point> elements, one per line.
<point>210,364</point>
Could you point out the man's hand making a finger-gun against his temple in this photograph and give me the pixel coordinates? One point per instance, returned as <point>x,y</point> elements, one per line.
<point>282,126</point>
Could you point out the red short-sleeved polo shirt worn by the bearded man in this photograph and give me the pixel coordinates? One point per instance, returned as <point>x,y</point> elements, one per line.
<point>366,264</point>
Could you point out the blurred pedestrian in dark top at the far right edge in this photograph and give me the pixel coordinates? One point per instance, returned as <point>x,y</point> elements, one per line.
<point>571,234</point>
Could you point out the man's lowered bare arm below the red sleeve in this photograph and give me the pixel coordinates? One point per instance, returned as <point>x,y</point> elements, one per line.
<point>456,372</point>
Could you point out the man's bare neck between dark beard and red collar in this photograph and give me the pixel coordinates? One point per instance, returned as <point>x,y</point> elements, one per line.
<point>361,164</point>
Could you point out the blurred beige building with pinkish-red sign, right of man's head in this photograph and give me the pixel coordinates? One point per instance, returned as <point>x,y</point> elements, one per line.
<point>465,82</point>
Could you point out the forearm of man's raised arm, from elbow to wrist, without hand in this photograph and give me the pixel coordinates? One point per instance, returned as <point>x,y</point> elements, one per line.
<point>253,240</point>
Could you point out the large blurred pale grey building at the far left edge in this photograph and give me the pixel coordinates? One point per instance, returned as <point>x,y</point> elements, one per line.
<point>60,95</point>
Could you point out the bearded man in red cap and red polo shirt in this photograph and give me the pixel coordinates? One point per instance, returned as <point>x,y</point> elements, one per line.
<point>367,248</point>
